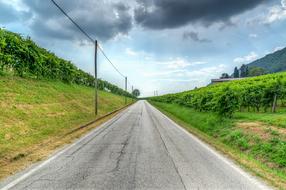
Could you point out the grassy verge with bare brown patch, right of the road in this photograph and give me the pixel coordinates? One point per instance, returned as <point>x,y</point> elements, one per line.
<point>258,147</point>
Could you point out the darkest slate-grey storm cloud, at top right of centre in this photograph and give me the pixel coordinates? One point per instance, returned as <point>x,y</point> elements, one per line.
<point>160,14</point>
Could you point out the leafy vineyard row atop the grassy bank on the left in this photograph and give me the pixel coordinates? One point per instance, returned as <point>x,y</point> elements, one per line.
<point>22,57</point>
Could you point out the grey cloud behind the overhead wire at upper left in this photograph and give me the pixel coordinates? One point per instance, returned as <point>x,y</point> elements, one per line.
<point>102,20</point>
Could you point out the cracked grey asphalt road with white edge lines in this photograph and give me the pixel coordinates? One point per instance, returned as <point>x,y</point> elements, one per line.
<point>138,149</point>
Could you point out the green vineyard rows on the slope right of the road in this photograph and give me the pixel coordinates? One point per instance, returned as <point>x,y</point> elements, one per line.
<point>259,94</point>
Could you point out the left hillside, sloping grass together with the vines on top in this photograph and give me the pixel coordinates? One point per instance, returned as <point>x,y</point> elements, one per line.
<point>42,98</point>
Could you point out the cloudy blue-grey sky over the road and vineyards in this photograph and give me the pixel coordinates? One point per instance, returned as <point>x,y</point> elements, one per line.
<point>160,45</point>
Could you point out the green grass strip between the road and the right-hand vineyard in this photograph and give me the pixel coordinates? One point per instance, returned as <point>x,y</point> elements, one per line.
<point>262,143</point>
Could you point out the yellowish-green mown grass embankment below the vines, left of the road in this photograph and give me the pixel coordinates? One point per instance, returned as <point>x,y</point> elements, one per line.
<point>35,115</point>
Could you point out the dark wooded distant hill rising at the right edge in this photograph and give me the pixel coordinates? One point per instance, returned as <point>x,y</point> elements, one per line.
<point>274,62</point>
